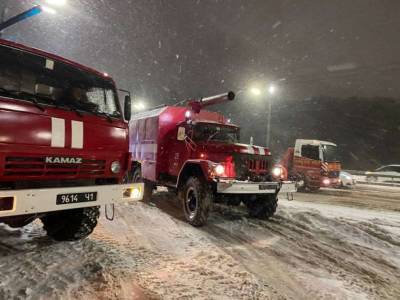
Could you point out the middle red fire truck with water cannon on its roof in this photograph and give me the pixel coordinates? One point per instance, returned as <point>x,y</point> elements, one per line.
<point>197,153</point>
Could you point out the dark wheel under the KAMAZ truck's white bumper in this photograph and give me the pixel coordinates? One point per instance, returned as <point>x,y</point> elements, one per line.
<point>71,225</point>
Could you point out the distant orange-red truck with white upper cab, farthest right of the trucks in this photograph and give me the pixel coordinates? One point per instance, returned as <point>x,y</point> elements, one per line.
<point>313,164</point>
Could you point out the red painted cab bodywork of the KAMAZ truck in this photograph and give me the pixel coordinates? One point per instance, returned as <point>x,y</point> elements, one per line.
<point>27,134</point>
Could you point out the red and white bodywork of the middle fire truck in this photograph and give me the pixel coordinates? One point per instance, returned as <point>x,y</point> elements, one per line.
<point>154,144</point>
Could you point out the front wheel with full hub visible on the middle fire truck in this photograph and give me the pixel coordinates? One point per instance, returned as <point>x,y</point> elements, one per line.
<point>196,201</point>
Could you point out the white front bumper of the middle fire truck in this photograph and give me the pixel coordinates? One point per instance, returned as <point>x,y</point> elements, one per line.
<point>247,187</point>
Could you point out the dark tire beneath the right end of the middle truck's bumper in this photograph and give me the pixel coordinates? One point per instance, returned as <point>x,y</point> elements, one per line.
<point>262,208</point>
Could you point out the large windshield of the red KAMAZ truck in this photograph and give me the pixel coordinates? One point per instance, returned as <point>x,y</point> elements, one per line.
<point>25,76</point>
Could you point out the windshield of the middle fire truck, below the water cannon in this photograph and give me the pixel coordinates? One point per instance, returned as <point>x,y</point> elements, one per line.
<point>215,132</point>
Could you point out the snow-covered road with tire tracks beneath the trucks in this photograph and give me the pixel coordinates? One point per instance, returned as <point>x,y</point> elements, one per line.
<point>327,245</point>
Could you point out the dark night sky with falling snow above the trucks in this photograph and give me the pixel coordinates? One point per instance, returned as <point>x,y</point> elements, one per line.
<point>166,49</point>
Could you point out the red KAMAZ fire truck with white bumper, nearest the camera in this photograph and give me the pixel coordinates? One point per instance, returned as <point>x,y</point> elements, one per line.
<point>63,143</point>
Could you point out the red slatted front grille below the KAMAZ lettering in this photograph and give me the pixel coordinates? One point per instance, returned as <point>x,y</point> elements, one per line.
<point>37,166</point>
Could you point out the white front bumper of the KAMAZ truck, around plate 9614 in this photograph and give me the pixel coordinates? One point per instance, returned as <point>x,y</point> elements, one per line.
<point>33,201</point>
